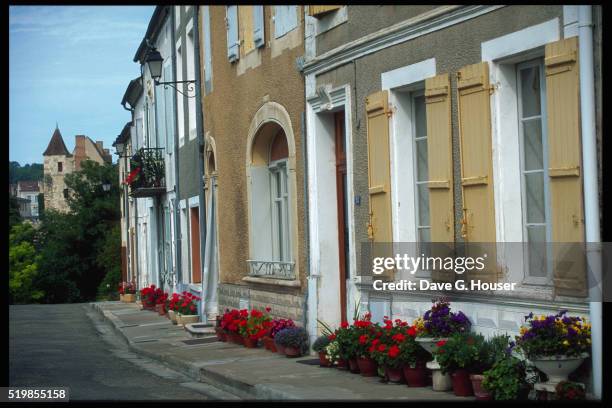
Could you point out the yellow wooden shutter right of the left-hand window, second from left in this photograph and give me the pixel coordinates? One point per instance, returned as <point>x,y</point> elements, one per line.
<point>440,168</point>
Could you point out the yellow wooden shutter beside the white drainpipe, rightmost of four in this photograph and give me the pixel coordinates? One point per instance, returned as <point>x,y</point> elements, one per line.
<point>564,154</point>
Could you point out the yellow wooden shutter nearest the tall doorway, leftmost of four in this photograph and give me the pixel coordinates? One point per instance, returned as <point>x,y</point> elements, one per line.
<point>379,179</point>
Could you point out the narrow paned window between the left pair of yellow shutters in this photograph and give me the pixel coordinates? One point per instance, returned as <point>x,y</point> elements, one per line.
<point>419,130</point>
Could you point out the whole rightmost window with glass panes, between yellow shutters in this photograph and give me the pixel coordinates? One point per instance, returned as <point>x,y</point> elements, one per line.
<point>534,168</point>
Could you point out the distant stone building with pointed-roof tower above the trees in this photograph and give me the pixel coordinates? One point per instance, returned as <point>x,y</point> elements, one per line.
<point>58,162</point>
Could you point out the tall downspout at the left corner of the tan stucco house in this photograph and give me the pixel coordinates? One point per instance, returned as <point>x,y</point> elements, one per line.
<point>201,169</point>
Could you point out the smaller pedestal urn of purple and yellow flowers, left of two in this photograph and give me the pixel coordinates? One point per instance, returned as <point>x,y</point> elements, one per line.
<point>434,328</point>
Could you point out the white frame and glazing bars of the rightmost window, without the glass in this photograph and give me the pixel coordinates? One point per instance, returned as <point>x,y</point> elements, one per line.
<point>539,63</point>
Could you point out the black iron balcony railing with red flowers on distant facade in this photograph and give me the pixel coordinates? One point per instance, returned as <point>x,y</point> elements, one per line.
<point>147,177</point>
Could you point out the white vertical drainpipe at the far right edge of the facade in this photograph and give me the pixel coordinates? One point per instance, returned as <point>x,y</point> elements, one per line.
<point>591,191</point>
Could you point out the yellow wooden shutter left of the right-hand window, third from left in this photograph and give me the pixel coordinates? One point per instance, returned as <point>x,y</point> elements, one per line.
<point>478,222</point>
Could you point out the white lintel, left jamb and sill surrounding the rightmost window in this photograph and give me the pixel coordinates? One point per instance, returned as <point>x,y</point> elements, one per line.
<point>502,54</point>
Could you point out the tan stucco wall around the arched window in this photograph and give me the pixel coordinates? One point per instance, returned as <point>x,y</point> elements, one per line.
<point>239,91</point>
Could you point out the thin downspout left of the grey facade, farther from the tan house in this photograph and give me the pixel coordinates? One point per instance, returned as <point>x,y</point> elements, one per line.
<point>177,209</point>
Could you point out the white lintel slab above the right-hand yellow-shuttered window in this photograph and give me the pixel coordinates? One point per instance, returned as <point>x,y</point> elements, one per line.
<point>522,40</point>
